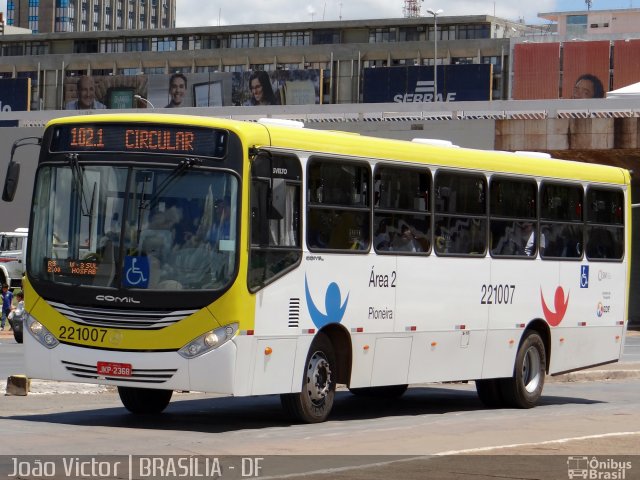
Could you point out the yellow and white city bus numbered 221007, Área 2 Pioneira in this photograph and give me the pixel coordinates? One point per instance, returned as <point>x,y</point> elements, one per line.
<point>171,252</point>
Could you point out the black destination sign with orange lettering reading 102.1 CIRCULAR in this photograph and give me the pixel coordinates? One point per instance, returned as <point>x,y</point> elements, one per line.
<point>135,138</point>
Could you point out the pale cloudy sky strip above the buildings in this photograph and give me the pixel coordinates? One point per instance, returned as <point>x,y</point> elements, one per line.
<point>192,13</point>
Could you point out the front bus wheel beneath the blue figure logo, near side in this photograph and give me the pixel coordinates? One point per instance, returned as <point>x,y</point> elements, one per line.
<point>313,404</point>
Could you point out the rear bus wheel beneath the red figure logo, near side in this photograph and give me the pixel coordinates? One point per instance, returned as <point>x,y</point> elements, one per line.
<point>524,389</point>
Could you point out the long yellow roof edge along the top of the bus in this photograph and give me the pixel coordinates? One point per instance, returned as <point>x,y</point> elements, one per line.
<point>265,134</point>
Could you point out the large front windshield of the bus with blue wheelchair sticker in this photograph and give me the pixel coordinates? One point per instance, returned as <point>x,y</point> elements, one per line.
<point>155,228</point>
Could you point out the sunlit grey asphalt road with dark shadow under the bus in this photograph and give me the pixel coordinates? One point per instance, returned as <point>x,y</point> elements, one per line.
<point>433,431</point>
